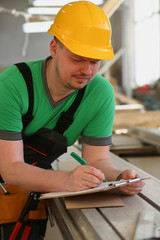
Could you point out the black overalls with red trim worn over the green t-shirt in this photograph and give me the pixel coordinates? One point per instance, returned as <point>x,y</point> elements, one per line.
<point>40,149</point>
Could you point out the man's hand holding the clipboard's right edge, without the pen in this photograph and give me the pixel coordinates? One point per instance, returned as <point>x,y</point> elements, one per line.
<point>132,188</point>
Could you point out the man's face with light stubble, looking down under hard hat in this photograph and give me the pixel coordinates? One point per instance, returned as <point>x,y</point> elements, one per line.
<point>74,71</point>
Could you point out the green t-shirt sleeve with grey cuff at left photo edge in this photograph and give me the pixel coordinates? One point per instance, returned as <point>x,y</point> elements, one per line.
<point>11,108</point>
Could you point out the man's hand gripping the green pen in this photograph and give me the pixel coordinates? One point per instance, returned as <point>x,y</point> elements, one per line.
<point>84,177</point>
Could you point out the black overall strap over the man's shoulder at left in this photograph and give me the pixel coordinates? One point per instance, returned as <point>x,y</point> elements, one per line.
<point>27,75</point>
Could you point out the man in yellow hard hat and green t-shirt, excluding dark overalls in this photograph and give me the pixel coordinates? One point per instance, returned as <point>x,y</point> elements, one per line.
<point>80,41</point>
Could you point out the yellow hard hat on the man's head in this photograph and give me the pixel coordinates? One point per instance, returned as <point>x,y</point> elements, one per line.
<point>84,29</point>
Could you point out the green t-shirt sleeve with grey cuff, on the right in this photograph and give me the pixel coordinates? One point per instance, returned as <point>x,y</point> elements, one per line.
<point>100,127</point>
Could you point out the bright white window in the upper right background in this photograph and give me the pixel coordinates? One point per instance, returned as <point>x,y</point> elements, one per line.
<point>147,41</point>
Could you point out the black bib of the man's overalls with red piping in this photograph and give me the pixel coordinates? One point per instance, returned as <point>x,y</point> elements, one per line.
<point>43,147</point>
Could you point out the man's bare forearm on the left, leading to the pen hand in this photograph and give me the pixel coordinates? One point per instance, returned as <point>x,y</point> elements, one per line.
<point>35,179</point>
